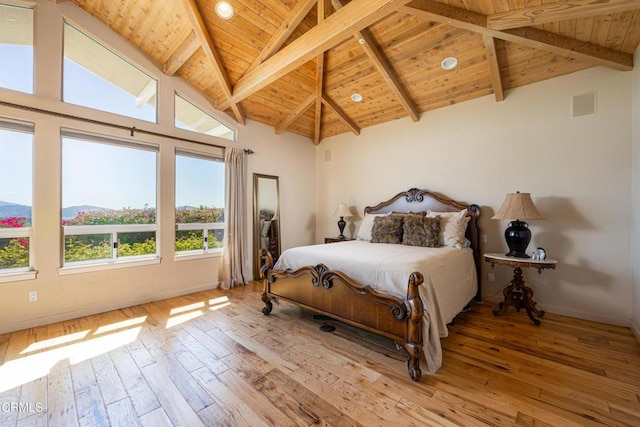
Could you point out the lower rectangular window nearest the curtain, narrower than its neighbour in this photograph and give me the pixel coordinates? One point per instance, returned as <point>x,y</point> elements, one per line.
<point>199,203</point>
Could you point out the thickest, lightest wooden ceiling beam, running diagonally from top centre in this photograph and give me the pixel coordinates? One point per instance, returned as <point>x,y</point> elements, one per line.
<point>356,15</point>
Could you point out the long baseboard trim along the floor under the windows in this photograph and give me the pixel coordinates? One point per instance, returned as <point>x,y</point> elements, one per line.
<point>88,311</point>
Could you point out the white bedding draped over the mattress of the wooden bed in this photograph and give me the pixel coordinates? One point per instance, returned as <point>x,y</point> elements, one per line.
<point>450,280</point>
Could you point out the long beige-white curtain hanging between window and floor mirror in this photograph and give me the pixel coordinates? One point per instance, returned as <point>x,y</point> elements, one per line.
<point>235,251</point>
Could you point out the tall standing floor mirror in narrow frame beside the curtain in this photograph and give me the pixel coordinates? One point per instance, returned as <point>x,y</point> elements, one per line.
<point>266,218</point>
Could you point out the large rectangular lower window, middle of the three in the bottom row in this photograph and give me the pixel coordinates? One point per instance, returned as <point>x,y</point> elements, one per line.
<point>108,199</point>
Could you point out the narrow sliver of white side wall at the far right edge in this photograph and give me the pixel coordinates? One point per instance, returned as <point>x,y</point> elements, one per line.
<point>635,161</point>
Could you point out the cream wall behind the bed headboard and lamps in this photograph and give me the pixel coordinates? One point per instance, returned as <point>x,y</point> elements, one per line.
<point>577,170</point>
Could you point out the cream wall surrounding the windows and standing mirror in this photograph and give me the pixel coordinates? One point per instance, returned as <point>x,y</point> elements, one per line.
<point>68,296</point>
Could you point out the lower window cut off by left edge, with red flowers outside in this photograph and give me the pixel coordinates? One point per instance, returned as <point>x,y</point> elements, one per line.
<point>16,192</point>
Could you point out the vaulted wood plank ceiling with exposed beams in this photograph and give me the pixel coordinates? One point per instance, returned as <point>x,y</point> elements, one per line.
<point>294,64</point>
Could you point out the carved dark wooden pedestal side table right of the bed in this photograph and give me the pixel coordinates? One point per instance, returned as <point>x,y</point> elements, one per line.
<point>517,294</point>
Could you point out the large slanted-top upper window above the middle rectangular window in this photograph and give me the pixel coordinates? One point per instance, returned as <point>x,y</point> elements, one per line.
<point>95,77</point>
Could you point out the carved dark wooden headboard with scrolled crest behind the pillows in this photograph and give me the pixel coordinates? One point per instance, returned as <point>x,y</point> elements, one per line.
<point>415,200</point>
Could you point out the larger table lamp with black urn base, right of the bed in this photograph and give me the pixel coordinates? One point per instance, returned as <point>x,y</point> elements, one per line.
<point>517,207</point>
